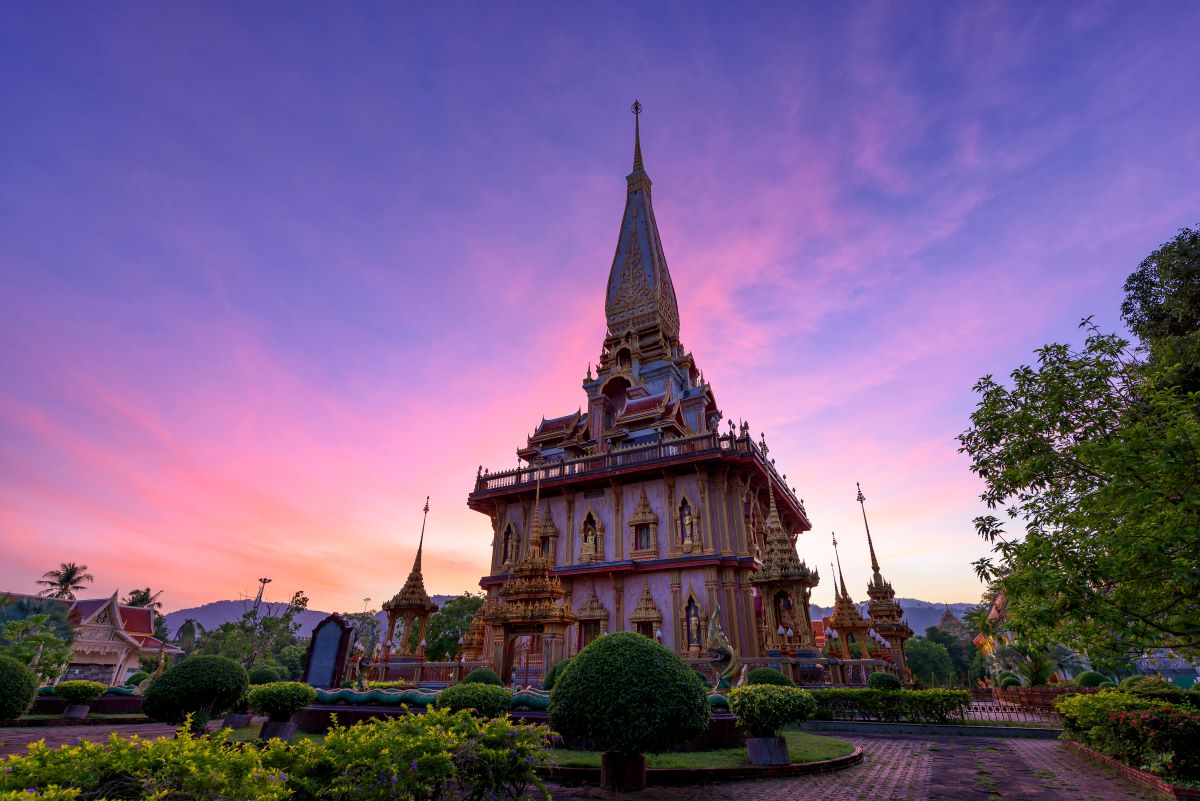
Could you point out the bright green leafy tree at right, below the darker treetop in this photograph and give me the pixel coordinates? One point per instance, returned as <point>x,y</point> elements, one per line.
<point>1099,455</point>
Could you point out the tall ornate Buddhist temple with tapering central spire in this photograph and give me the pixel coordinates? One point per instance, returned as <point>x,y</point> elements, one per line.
<point>637,513</point>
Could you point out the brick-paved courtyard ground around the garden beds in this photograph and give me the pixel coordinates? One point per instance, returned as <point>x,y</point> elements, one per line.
<point>895,769</point>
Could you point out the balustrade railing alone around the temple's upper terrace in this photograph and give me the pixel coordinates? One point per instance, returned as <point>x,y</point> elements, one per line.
<point>635,455</point>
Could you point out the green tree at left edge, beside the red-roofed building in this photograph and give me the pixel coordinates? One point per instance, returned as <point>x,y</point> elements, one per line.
<point>37,634</point>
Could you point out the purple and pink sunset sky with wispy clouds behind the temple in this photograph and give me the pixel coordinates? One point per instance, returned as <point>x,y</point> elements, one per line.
<point>273,273</point>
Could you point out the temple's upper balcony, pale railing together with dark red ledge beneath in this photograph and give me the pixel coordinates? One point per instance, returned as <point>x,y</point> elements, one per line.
<point>739,450</point>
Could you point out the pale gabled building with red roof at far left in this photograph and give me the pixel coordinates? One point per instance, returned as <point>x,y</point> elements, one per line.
<point>111,639</point>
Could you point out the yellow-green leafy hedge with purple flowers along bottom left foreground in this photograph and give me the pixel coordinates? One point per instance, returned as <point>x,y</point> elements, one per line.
<point>437,755</point>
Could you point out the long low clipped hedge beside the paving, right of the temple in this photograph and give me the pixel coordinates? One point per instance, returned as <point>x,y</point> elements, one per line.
<point>893,706</point>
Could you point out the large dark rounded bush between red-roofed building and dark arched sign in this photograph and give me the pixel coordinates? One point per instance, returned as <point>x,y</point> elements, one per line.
<point>201,686</point>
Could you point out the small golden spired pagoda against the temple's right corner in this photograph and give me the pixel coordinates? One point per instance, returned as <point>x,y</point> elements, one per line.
<point>785,585</point>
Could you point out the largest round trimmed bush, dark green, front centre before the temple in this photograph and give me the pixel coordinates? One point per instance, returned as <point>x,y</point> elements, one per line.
<point>627,695</point>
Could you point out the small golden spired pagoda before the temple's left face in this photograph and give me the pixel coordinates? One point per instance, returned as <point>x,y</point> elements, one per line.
<point>532,605</point>
